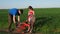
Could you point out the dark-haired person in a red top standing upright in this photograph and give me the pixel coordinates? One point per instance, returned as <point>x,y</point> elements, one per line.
<point>31,17</point>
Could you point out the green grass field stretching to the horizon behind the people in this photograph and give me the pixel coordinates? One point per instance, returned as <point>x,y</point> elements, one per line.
<point>47,20</point>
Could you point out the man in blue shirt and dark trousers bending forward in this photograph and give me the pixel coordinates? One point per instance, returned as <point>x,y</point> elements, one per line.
<point>12,17</point>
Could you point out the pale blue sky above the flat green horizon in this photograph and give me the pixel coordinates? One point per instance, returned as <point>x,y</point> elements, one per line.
<point>7,4</point>
